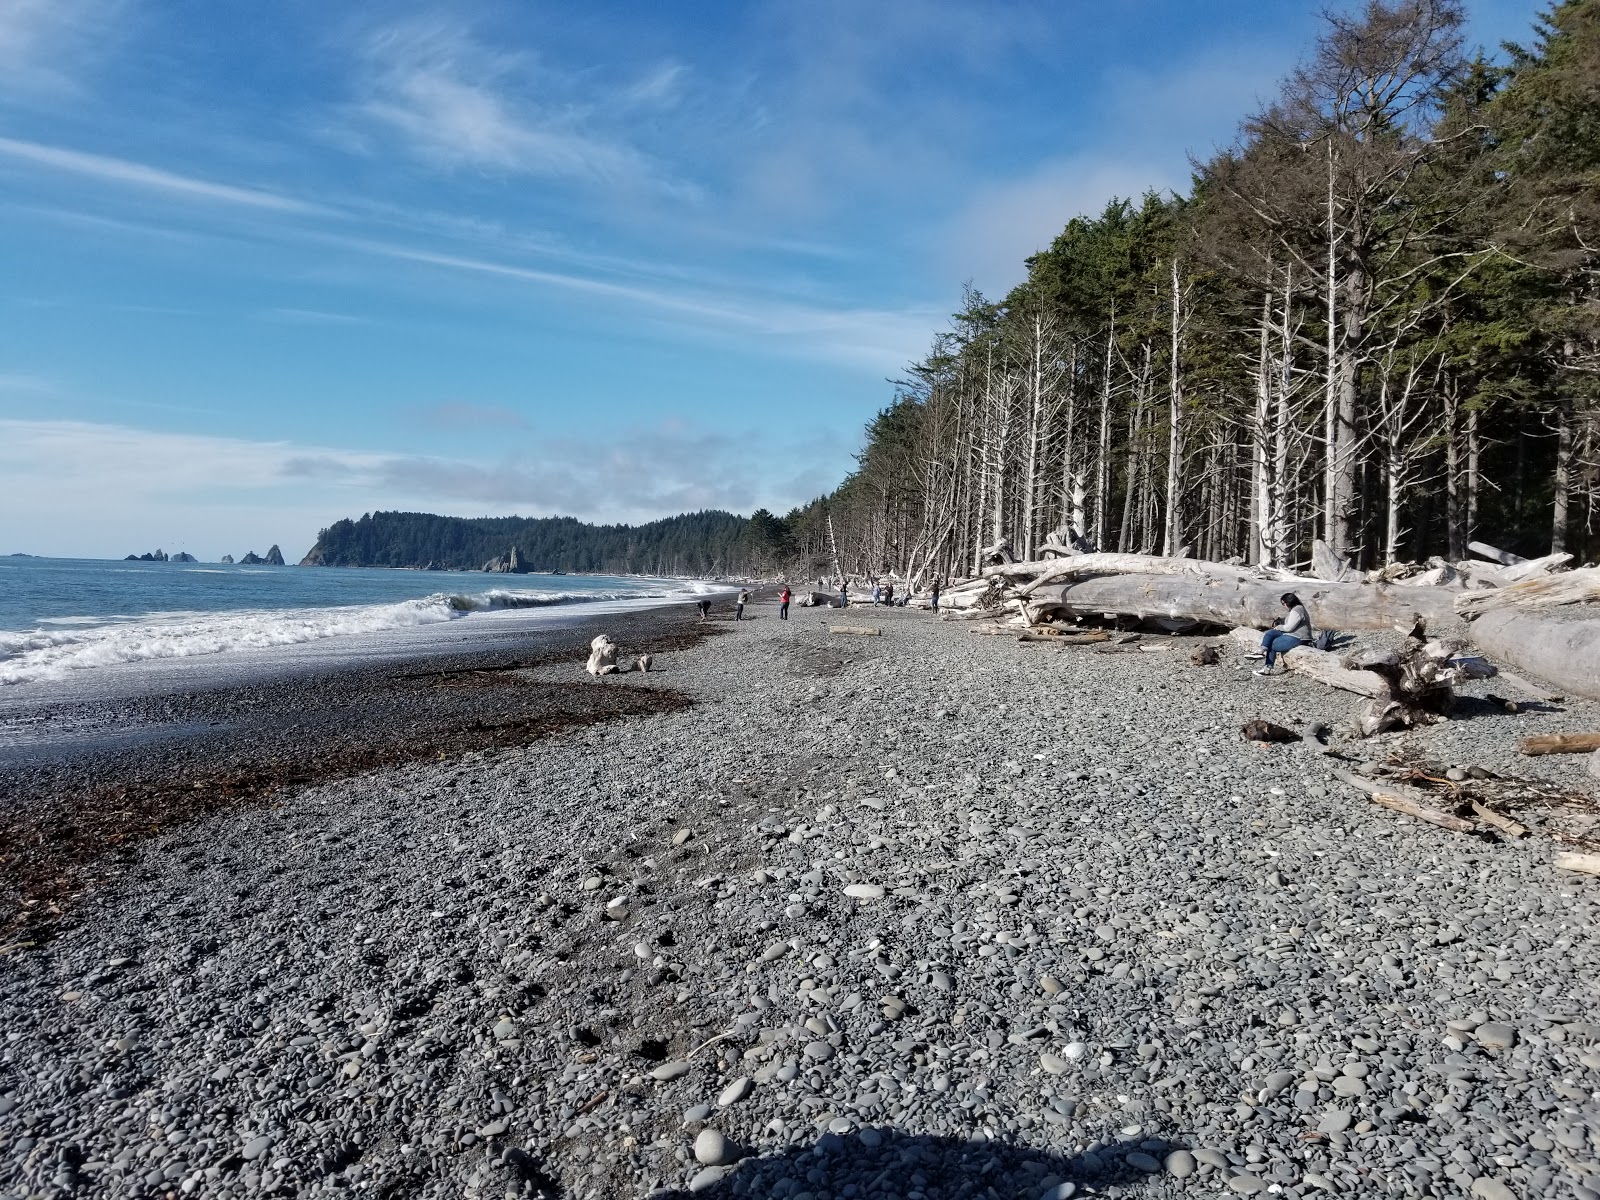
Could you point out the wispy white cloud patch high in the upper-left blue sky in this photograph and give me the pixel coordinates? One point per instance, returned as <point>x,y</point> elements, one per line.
<point>457,103</point>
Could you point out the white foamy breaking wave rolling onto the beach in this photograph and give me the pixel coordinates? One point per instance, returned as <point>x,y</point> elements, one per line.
<point>52,654</point>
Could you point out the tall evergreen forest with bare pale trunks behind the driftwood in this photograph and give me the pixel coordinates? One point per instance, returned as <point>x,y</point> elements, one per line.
<point>1375,321</point>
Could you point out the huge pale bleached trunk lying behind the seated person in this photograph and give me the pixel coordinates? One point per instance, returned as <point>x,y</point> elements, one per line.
<point>1247,602</point>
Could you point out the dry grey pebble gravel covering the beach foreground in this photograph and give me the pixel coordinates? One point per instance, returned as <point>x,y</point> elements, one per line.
<point>836,985</point>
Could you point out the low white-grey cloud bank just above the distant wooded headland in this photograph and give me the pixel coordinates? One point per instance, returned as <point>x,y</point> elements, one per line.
<point>100,490</point>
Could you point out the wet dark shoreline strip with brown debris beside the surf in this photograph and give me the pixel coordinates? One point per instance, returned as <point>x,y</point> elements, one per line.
<point>177,745</point>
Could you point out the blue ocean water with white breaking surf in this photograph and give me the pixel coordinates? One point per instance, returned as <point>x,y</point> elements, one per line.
<point>66,618</point>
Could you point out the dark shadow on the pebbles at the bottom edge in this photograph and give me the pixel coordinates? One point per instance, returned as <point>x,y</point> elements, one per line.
<point>884,1162</point>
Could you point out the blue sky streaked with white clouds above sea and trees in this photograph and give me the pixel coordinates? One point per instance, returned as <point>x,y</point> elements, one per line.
<point>268,266</point>
